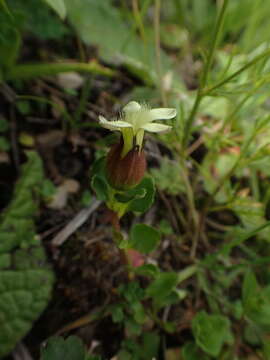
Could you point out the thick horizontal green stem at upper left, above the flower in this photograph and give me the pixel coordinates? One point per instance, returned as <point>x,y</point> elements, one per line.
<point>28,71</point>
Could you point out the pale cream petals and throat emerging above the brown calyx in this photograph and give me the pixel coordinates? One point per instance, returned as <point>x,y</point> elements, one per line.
<point>134,120</point>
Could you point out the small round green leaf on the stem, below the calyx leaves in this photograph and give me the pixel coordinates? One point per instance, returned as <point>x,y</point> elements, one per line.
<point>144,238</point>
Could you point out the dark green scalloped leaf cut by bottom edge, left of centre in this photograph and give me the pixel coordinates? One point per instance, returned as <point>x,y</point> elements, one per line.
<point>70,349</point>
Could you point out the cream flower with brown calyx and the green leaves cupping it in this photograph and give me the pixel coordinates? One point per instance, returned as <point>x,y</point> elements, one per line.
<point>119,178</point>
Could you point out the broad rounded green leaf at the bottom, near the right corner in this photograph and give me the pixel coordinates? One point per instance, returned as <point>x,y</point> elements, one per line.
<point>211,332</point>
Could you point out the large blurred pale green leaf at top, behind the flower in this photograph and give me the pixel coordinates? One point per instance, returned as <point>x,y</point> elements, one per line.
<point>100,23</point>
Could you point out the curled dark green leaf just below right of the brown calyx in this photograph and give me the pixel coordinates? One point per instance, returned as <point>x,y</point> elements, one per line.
<point>143,204</point>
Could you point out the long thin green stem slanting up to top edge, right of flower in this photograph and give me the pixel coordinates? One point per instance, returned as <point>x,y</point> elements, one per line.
<point>209,61</point>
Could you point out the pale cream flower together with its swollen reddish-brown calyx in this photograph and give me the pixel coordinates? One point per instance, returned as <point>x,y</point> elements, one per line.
<point>126,164</point>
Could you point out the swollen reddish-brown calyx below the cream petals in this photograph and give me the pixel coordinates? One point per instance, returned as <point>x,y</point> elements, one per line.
<point>125,172</point>
